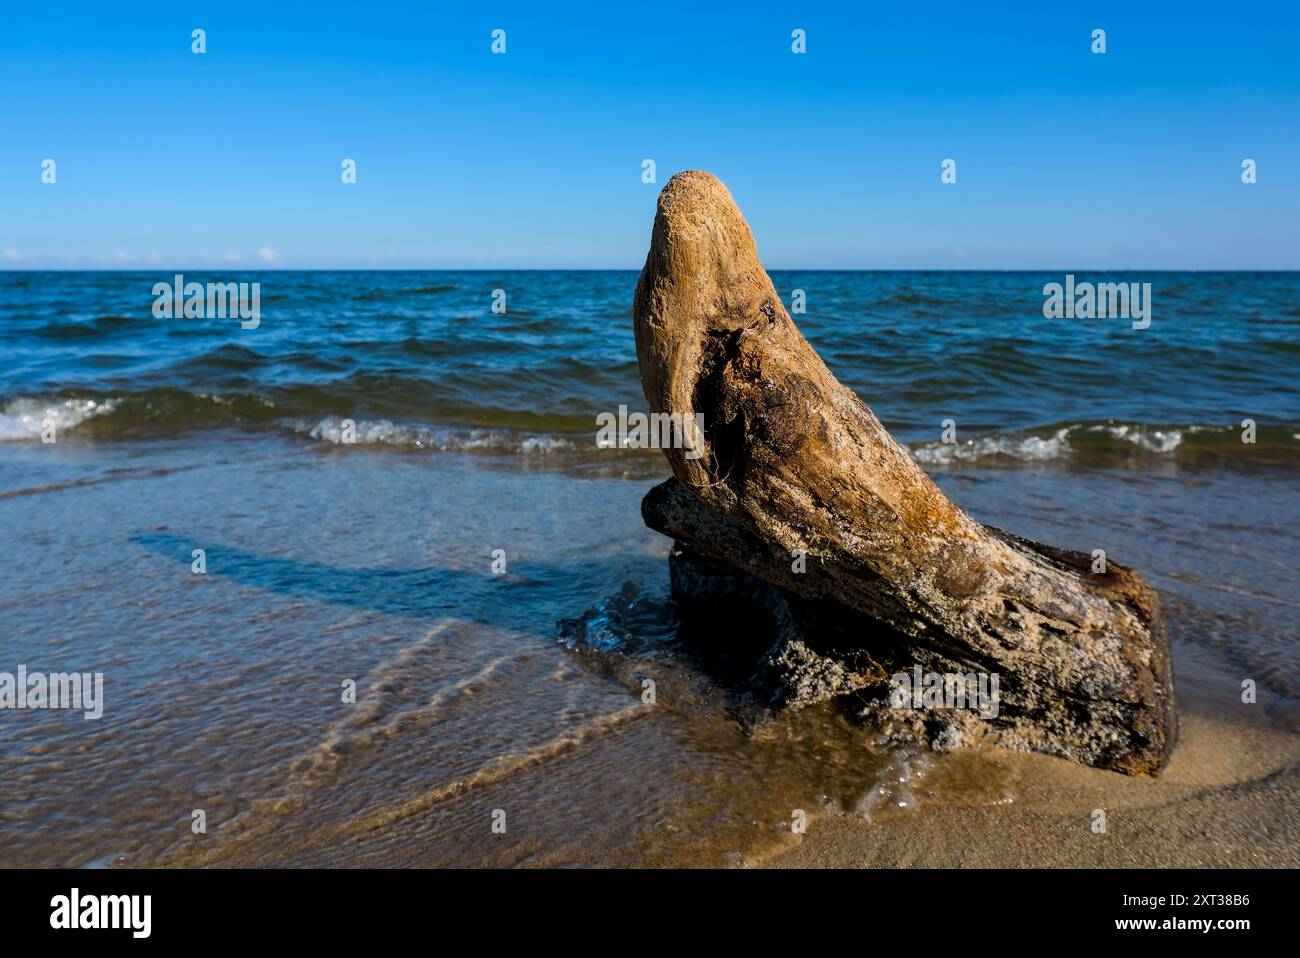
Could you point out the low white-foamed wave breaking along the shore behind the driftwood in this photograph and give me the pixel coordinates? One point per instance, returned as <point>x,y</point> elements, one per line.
<point>174,413</point>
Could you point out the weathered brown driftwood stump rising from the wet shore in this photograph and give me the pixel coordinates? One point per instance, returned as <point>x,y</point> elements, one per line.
<point>896,575</point>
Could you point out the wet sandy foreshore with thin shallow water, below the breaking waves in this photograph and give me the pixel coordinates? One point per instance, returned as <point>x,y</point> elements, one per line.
<point>324,565</point>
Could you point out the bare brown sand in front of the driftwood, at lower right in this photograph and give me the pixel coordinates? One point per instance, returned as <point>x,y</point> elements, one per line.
<point>1228,800</point>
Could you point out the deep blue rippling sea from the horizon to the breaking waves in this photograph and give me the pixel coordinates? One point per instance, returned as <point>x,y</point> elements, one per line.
<point>421,361</point>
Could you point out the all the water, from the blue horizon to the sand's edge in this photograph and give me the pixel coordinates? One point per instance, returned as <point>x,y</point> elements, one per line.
<point>517,687</point>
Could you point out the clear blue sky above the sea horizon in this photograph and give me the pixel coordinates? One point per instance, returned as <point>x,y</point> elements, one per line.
<point>1065,159</point>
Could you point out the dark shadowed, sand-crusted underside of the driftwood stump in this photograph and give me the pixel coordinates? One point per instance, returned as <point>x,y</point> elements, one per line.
<point>821,651</point>
